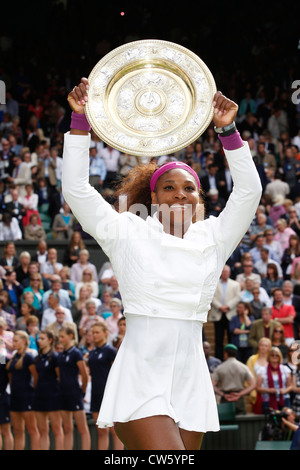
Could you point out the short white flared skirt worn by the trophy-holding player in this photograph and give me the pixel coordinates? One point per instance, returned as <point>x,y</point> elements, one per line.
<point>160,369</point>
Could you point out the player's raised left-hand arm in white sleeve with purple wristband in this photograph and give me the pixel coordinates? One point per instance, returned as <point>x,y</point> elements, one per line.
<point>96,216</point>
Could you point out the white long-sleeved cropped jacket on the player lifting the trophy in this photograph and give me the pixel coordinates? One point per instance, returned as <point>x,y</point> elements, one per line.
<point>160,274</point>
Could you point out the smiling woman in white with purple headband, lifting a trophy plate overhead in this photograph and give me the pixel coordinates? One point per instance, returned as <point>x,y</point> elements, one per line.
<point>159,394</point>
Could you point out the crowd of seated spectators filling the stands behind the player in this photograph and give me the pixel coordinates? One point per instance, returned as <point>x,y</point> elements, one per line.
<point>263,274</point>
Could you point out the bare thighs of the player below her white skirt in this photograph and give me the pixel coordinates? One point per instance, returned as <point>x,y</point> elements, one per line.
<point>157,433</point>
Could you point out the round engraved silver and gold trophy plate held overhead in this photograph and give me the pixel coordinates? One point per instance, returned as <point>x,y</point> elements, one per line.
<point>150,98</point>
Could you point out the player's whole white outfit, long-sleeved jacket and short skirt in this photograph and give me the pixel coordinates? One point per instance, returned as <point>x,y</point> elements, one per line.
<point>167,284</point>
